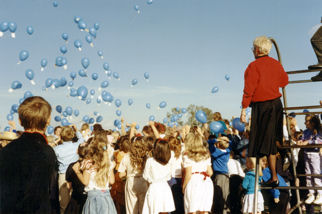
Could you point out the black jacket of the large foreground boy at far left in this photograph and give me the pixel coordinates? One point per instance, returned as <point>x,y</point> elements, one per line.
<point>28,176</point>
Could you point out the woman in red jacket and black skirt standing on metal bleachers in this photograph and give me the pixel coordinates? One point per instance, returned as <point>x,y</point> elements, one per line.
<point>262,80</point>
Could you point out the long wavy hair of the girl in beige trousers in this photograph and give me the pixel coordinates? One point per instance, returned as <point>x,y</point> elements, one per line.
<point>138,153</point>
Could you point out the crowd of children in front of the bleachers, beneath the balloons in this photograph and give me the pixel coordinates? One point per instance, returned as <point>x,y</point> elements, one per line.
<point>171,170</point>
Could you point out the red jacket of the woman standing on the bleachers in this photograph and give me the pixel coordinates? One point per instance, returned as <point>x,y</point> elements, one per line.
<point>263,78</point>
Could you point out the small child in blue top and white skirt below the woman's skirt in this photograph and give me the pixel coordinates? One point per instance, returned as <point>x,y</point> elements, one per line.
<point>249,185</point>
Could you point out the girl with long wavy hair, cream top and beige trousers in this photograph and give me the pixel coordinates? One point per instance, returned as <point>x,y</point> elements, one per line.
<point>132,166</point>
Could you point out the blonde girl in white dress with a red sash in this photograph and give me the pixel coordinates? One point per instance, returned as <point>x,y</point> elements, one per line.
<point>198,188</point>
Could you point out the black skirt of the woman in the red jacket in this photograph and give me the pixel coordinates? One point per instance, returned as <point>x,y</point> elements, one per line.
<point>266,128</point>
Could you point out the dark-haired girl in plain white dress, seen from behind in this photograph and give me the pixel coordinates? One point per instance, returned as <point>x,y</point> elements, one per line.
<point>157,172</point>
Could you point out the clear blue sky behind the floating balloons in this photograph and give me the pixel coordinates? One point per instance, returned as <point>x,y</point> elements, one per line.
<point>187,47</point>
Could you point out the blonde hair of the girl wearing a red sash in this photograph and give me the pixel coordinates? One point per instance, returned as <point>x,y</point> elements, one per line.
<point>195,148</point>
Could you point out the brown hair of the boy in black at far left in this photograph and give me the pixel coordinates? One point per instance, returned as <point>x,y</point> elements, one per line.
<point>34,113</point>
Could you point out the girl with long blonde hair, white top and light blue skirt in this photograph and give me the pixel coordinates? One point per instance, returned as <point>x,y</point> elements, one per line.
<point>97,177</point>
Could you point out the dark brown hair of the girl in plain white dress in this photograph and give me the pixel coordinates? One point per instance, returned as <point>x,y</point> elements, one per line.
<point>161,151</point>
